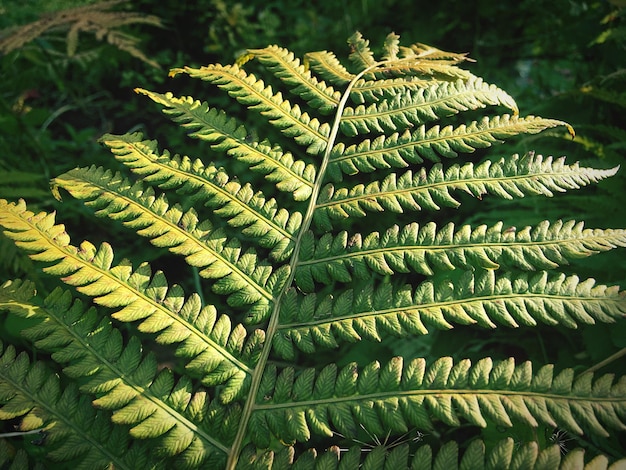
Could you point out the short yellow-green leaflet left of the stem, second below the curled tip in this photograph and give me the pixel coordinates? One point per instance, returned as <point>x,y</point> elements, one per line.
<point>285,66</point>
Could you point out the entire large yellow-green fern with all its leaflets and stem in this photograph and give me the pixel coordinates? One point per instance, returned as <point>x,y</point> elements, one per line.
<point>325,233</point>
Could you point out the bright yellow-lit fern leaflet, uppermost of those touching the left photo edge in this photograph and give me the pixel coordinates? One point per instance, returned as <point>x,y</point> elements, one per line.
<point>213,346</point>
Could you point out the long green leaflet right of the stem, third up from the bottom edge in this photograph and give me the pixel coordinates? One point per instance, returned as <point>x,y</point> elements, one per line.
<point>484,298</point>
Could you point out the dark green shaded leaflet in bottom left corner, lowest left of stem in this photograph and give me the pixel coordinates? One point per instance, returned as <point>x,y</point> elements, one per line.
<point>72,428</point>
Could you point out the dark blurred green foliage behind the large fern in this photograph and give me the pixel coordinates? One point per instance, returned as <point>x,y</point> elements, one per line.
<point>65,86</point>
